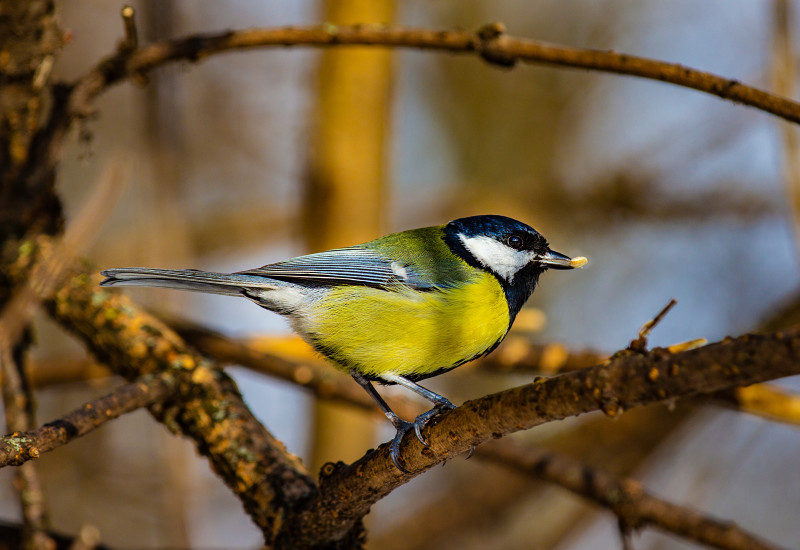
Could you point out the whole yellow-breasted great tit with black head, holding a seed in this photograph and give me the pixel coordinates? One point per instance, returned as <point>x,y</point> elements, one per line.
<point>395,310</point>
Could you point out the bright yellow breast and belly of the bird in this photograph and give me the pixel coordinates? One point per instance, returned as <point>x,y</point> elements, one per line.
<point>406,332</point>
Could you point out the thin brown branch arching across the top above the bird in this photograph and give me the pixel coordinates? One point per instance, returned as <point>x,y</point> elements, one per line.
<point>490,42</point>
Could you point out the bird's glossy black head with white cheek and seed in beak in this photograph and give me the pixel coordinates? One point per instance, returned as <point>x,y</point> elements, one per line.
<point>514,252</point>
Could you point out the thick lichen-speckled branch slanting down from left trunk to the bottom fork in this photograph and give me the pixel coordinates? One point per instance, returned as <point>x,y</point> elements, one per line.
<point>208,407</point>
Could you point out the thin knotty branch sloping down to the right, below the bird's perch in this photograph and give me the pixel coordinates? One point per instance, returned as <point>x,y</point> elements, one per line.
<point>634,507</point>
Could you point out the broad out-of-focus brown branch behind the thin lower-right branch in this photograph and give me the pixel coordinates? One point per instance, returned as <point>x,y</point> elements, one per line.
<point>619,446</point>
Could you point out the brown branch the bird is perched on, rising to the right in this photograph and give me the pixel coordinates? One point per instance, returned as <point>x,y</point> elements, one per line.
<point>628,380</point>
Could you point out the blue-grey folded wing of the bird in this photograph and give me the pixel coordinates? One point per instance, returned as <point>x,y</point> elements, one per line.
<point>350,266</point>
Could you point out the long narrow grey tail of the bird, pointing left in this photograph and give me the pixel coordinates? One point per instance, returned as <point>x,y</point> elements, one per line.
<point>229,284</point>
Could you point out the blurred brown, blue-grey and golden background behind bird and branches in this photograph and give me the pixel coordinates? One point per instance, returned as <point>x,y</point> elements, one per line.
<point>249,158</point>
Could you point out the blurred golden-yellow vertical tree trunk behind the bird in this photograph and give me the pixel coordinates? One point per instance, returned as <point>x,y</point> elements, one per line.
<point>345,193</point>
